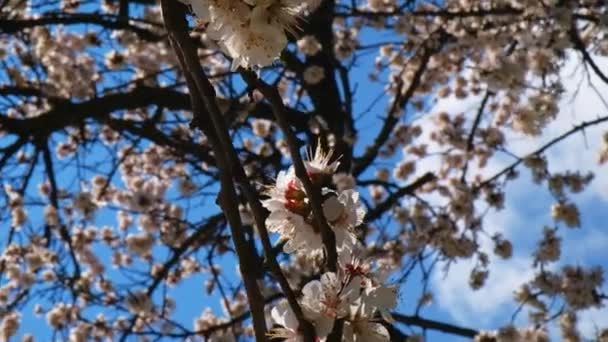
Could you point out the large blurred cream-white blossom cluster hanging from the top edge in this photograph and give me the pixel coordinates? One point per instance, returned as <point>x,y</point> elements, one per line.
<point>251,32</point>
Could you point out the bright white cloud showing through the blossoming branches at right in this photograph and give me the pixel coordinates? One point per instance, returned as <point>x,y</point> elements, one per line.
<point>493,305</point>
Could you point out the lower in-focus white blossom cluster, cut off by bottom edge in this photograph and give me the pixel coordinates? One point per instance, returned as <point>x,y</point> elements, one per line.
<point>355,294</point>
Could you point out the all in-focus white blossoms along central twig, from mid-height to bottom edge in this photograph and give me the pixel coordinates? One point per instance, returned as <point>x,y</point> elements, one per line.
<point>356,292</point>
